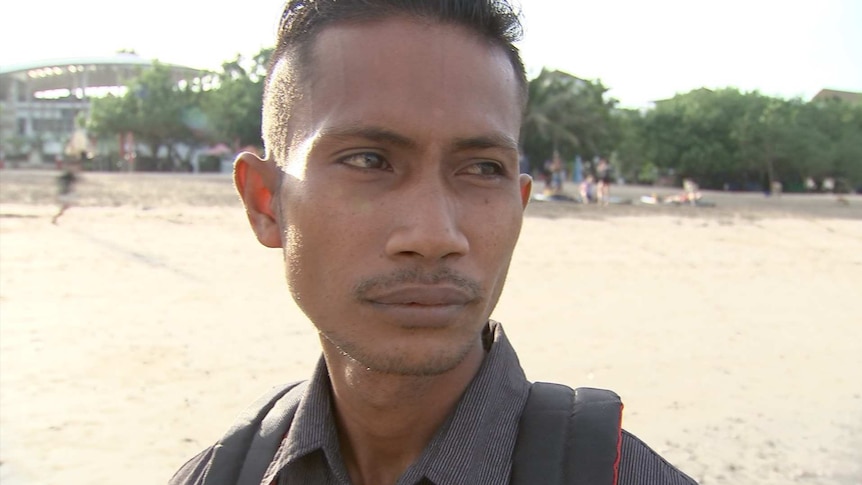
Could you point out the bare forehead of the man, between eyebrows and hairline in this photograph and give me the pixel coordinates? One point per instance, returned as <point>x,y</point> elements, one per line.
<point>416,76</point>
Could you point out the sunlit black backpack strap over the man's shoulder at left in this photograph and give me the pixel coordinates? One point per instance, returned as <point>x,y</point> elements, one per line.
<point>246,450</point>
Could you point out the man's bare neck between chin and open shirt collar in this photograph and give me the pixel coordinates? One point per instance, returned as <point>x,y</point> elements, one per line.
<point>385,421</point>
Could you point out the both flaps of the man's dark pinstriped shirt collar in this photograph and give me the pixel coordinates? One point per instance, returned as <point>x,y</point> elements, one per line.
<point>474,445</point>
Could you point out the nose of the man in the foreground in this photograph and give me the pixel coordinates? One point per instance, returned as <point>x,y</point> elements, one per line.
<point>427,224</point>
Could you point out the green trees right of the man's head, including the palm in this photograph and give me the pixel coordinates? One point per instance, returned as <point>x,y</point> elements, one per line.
<point>722,139</point>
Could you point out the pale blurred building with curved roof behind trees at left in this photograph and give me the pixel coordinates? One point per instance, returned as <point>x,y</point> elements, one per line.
<point>41,101</point>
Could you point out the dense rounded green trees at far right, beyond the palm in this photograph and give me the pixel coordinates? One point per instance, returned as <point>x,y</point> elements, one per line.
<point>744,140</point>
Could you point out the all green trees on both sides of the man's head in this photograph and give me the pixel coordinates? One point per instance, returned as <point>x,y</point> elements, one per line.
<point>722,139</point>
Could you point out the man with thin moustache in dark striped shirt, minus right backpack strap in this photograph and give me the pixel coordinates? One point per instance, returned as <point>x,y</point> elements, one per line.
<point>391,183</point>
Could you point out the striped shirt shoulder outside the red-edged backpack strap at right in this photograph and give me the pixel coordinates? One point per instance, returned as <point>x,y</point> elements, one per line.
<point>641,465</point>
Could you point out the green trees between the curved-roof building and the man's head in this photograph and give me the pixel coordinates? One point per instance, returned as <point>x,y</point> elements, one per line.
<point>165,115</point>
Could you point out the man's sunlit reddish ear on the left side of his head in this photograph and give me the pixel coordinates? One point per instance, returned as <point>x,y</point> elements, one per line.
<point>257,181</point>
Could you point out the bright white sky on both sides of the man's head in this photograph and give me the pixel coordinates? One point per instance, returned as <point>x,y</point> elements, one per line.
<point>642,50</point>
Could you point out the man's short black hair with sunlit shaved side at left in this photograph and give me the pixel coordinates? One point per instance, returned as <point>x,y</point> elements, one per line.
<point>493,20</point>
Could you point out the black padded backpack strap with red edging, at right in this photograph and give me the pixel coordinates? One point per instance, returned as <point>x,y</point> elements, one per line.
<point>568,437</point>
